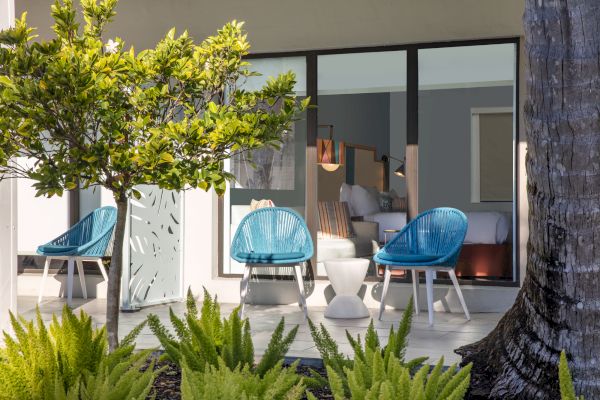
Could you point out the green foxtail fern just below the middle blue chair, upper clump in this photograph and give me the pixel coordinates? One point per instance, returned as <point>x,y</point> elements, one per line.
<point>203,338</point>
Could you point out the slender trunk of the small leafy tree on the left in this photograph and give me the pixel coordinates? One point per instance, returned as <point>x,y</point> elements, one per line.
<point>113,295</point>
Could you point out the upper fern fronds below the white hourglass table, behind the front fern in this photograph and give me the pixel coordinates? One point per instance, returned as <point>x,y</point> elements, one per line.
<point>339,363</point>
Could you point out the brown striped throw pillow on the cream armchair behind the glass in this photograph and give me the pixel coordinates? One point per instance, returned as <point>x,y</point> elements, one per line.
<point>334,220</point>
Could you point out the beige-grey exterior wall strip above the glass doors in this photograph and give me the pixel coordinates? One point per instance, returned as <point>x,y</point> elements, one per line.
<point>308,24</point>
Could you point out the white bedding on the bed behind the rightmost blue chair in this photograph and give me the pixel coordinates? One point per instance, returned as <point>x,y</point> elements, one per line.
<point>485,227</point>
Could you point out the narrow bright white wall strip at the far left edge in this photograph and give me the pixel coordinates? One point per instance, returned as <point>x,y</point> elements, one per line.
<point>8,217</point>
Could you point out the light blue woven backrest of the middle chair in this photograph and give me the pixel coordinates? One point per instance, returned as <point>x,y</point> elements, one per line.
<point>272,230</point>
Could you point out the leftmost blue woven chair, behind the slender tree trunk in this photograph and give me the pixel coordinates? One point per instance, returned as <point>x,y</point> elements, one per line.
<point>85,241</point>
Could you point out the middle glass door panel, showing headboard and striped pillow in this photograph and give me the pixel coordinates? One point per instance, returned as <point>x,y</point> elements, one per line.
<point>362,108</point>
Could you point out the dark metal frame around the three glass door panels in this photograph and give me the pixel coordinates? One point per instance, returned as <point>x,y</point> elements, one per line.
<point>412,139</point>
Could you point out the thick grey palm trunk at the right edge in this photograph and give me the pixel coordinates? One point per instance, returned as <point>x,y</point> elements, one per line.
<point>558,306</point>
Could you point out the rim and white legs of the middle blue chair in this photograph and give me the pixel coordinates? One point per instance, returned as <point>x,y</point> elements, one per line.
<point>296,264</point>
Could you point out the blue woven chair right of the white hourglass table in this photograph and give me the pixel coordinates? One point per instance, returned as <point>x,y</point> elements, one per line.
<point>431,242</point>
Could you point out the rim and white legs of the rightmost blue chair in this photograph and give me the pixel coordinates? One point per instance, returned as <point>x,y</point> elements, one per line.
<point>447,263</point>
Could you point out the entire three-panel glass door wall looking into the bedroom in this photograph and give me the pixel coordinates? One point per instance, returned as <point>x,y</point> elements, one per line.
<point>398,130</point>
